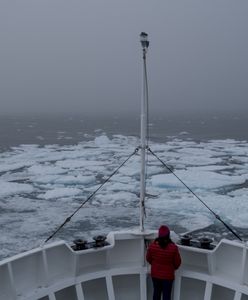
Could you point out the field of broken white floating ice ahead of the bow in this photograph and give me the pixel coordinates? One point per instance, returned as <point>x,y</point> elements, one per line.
<point>42,185</point>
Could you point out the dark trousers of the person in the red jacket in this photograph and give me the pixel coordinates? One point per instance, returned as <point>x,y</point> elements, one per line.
<point>162,287</point>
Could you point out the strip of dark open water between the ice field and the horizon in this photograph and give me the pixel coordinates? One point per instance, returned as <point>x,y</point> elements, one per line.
<point>63,130</point>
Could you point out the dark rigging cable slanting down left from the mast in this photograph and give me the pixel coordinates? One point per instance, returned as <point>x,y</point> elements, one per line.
<point>90,197</point>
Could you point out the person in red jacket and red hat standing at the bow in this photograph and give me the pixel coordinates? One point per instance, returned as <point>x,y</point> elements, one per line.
<point>164,258</point>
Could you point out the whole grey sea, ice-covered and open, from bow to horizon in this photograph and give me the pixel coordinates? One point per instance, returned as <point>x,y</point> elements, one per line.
<point>50,165</point>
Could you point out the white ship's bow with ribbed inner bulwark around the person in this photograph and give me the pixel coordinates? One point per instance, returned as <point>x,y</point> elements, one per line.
<point>118,271</point>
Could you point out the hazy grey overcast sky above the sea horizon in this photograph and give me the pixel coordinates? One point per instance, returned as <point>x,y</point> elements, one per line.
<point>84,55</point>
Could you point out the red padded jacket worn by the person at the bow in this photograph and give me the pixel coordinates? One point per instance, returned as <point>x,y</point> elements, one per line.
<point>164,261</point>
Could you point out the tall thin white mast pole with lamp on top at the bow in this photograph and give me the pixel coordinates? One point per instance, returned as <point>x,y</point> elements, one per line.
<point>143,129</point>
